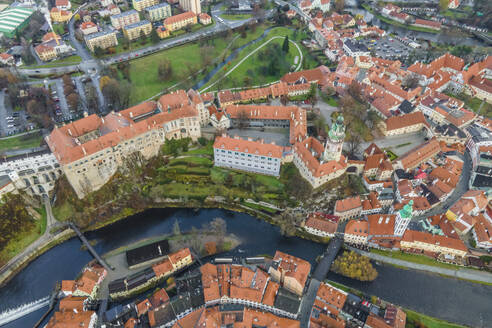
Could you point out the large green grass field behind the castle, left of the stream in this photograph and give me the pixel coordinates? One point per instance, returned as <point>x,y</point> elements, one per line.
<point>143,71</point>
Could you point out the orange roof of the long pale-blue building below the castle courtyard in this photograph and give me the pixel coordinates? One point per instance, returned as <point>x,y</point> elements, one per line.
<point>248,146</point>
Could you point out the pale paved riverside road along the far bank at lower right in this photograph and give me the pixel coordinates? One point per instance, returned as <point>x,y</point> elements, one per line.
<point>461,273</point>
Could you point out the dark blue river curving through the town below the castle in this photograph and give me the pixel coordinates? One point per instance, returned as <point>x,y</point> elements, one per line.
<point>451,299</point>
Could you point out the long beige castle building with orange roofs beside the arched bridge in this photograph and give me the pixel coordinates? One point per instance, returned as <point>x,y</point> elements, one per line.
<point>91,149</point>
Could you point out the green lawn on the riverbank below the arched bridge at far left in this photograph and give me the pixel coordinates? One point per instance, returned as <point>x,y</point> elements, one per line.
<point>24,239</point>
